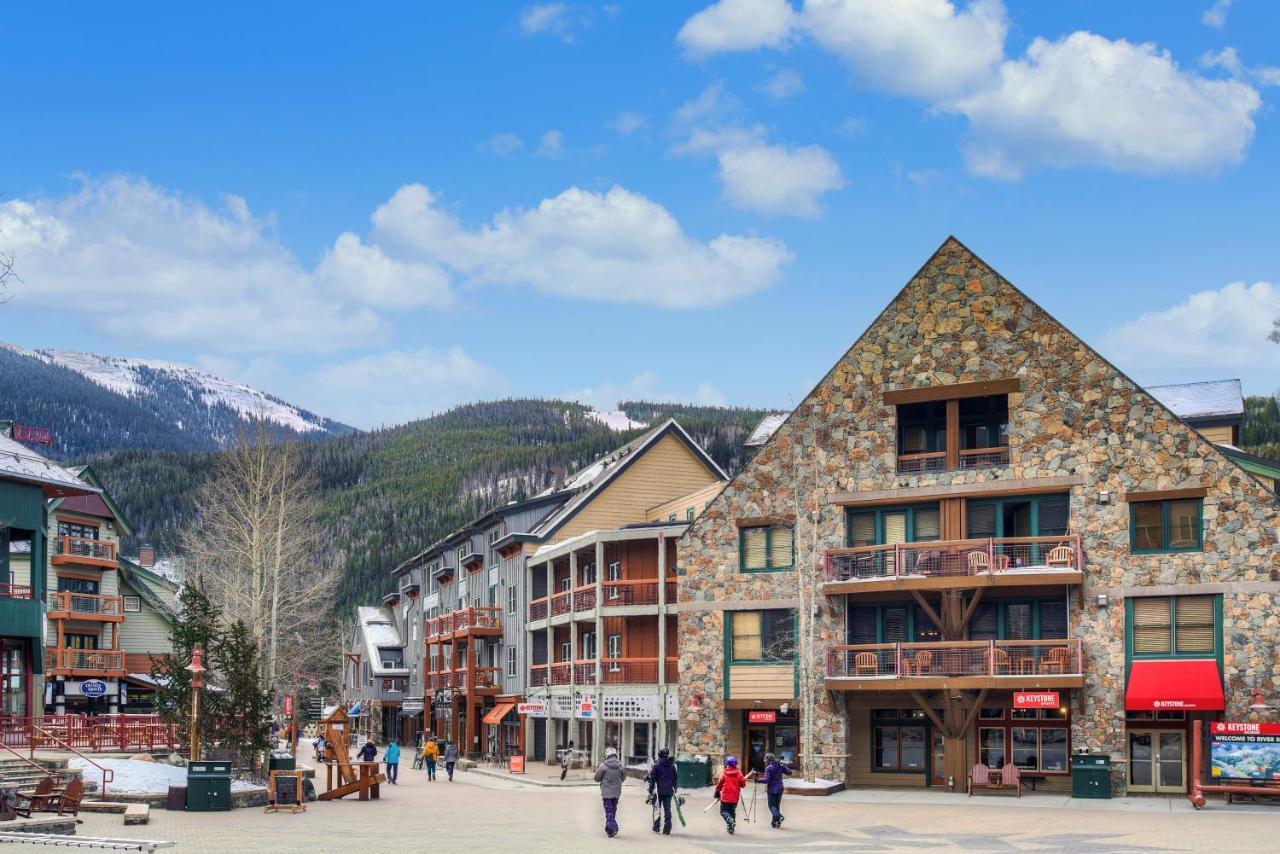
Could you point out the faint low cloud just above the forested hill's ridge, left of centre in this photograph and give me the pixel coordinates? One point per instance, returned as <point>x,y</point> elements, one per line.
<point>399,386</point>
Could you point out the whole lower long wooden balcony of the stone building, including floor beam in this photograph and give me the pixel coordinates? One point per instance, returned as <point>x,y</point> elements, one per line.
<point>957,665</point>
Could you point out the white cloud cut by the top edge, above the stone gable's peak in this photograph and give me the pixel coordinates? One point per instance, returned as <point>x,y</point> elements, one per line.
<point>924,48</point>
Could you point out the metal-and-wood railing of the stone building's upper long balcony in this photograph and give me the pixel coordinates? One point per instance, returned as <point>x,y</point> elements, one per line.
<point>971,558</point>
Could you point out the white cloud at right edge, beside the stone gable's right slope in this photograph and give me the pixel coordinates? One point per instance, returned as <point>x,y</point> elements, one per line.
<point>1208,336</point>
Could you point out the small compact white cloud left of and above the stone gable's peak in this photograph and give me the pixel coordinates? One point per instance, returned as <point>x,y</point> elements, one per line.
<point>775,180</point>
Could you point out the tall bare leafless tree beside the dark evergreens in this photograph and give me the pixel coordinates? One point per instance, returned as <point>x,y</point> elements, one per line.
<point>258,547</point>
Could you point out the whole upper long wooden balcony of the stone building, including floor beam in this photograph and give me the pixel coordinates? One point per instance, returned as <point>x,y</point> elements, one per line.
<point>1011,561</point>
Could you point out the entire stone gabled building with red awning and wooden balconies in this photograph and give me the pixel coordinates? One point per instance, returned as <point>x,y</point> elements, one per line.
<point>1011,552</point>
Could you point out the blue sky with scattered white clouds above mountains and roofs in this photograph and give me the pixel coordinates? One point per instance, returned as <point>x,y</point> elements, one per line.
<point>383,212</point>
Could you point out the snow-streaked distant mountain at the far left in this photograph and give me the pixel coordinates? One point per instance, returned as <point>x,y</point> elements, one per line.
<point>95,403</point>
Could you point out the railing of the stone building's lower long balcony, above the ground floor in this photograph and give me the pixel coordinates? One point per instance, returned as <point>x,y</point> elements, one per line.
<point>958,660</point>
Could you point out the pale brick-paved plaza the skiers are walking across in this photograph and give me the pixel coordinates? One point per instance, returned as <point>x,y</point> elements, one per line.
<point>478,810</point>
